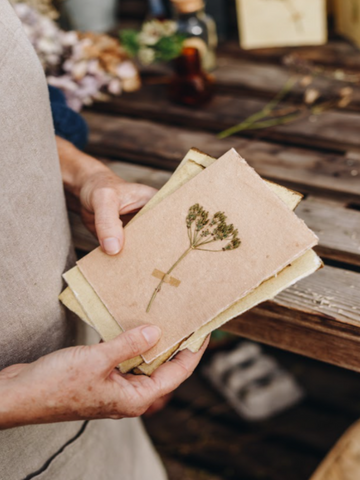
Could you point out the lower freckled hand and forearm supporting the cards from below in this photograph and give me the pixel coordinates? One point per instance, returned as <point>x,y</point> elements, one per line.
<point>82,382</point>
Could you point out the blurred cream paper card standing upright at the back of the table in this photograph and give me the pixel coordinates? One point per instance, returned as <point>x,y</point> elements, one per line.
<point>274,23</point>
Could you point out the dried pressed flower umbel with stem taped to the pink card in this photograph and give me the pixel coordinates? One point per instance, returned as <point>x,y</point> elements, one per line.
<point>203,231</point>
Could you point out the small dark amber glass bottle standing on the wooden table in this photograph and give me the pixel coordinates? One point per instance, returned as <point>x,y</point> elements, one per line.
<point>190,85</point>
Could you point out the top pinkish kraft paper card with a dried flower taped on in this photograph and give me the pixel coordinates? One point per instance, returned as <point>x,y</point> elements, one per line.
<point>214,266</point>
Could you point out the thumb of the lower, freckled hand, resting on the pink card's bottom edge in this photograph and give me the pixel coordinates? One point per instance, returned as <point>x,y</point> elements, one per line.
<point>130,344</point>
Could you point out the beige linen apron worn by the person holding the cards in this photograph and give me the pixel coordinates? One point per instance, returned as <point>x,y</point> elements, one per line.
<point>35,248</point>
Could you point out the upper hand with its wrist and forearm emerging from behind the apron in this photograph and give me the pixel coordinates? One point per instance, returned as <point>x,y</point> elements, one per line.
<point>103,195</point>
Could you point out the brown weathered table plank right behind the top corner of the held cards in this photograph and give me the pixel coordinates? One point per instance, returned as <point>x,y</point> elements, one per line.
<point>164,146</point>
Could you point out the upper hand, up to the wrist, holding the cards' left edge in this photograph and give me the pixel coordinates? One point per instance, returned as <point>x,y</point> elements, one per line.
<point>104,196</point>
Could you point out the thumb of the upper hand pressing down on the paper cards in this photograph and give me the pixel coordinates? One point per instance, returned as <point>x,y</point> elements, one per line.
<point>108,225</point>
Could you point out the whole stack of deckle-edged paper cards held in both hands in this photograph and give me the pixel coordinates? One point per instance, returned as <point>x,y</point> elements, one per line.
<point>214,242</point>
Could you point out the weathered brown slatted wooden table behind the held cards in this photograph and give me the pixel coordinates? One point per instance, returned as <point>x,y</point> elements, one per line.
<point>144,136</point>
